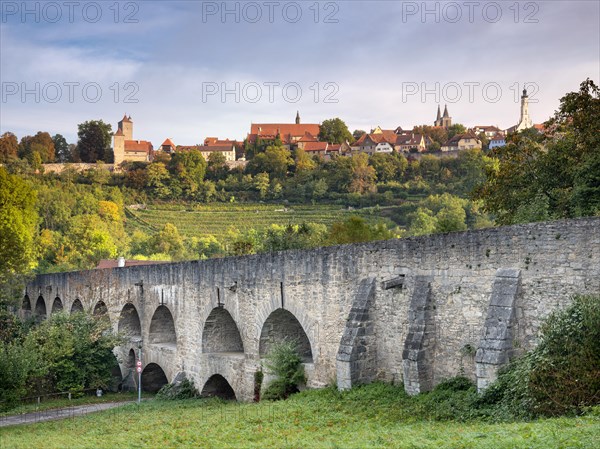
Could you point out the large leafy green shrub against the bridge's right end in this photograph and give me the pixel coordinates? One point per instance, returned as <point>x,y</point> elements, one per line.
<point>562,374</point>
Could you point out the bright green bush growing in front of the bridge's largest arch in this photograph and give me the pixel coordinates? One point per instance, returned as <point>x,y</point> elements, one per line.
<point>283,360</point>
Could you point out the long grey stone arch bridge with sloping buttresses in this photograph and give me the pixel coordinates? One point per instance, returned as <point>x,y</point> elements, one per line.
<point>414,310</point>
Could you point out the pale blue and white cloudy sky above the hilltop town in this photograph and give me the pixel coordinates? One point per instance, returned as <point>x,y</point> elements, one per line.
<point>192,69</point>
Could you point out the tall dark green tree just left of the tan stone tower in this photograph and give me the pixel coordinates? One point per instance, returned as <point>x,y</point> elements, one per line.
<point>94,142</point>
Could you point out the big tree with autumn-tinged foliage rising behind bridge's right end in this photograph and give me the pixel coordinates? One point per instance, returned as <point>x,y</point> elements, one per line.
<point>551,176</point>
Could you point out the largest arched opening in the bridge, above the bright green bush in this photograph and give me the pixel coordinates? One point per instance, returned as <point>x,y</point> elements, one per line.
<point>283,325</point>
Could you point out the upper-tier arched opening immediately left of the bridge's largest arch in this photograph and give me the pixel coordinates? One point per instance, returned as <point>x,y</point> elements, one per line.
<point>220,333</point>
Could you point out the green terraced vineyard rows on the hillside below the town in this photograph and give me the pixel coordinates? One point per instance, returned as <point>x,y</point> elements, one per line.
<point>201,220</point>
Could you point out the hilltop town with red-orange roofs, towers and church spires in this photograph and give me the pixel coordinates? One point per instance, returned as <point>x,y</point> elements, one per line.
<point>306,136</point>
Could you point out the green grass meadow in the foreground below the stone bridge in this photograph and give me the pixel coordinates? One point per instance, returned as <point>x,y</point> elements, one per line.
<point>375,416</point>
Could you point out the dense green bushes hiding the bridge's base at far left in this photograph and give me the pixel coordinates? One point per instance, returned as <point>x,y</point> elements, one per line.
<point>64,353</point>
